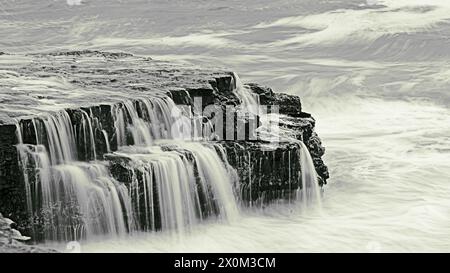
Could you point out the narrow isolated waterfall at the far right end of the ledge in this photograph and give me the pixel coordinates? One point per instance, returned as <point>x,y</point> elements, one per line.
<point>310,190</point>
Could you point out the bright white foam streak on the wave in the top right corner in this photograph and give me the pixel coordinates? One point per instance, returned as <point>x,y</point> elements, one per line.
<point>362,25</point>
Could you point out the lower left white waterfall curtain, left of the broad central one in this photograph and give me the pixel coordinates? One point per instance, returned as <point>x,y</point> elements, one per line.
<point>91,198</point>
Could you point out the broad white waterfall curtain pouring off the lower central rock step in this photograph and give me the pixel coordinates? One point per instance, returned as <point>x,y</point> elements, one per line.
<point>184,181</point>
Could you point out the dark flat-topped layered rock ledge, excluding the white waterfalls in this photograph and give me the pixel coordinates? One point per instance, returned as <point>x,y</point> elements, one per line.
<point>81,82</point>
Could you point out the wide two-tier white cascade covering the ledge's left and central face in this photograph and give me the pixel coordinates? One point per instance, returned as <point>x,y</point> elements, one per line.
<point>72,194</point>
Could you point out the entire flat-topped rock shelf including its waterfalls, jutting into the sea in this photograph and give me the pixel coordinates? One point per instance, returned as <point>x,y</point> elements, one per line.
<point>86,146</point>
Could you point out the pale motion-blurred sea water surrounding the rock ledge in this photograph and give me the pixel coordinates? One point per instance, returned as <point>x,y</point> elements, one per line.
<point>374,74</point>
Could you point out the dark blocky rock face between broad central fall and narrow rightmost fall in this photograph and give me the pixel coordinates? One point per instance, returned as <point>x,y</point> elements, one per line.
<point>267,171</point>
